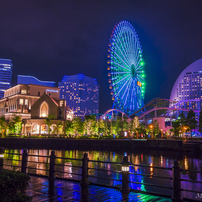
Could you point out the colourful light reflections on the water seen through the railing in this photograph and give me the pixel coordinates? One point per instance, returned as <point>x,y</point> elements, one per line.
<point>39,164</point>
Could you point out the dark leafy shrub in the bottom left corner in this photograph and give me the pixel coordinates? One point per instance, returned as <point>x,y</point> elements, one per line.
<point>13,186</point>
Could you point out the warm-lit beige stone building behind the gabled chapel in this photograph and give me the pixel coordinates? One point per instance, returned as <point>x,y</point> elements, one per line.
<point>20,98</point>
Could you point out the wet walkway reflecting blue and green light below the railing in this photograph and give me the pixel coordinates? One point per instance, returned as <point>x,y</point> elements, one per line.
<point>71,191</point>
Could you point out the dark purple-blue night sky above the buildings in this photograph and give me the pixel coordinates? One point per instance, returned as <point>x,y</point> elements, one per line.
<point>50,39</point>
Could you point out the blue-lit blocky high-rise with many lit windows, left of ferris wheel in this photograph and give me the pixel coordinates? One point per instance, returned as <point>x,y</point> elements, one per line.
<point>81,94</point>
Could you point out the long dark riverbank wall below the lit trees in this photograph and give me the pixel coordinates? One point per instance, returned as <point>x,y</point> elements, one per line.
<point>102,144</point>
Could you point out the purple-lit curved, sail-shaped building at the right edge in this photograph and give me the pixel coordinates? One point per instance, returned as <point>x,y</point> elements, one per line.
<point>187,89</point>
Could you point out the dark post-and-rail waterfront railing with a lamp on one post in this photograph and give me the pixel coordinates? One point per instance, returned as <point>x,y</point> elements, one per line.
<point>125,182</point>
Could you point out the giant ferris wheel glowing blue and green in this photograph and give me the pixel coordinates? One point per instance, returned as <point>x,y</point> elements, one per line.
<point>126,69</point>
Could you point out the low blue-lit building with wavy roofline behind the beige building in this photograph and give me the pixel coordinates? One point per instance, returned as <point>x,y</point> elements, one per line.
<point>23,79</point>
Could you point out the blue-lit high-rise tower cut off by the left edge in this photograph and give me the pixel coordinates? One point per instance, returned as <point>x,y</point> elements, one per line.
<point>5,75</point>
